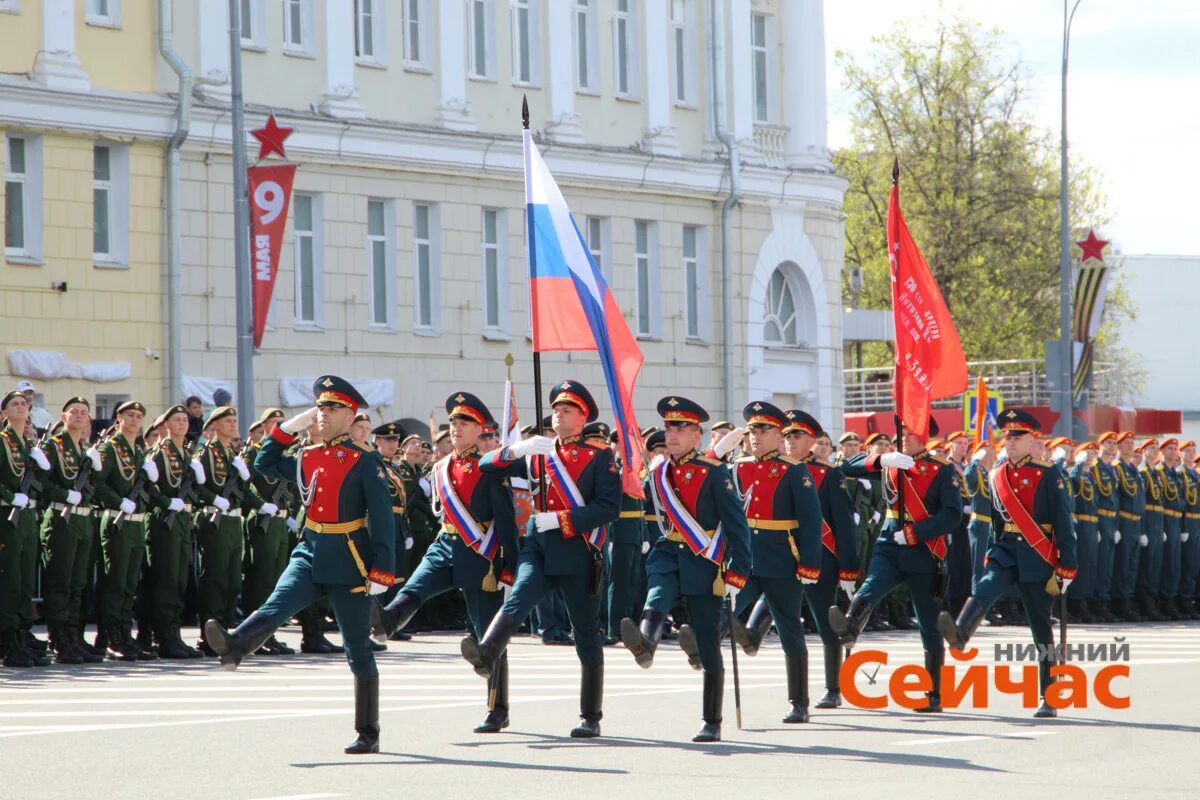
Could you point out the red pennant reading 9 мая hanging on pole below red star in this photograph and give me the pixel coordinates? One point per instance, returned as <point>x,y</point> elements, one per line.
<point>271,194</point>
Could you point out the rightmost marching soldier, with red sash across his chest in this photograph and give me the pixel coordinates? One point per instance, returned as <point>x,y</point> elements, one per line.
<point>1034,545</point>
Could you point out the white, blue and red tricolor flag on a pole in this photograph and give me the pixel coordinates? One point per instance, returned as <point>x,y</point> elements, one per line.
<point>573,306</point>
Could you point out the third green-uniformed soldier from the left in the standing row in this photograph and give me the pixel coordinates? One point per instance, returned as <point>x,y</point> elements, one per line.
<point>123,488</point>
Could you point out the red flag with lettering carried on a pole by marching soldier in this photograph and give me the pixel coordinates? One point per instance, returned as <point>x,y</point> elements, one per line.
<point>929,358</point>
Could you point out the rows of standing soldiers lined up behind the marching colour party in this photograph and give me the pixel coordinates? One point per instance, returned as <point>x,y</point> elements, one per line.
<point>159,525</point>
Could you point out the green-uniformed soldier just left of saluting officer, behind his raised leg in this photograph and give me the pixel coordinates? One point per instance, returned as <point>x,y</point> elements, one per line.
<point>267,532</point>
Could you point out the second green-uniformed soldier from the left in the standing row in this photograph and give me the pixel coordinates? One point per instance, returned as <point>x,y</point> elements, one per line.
<point>67,542</point>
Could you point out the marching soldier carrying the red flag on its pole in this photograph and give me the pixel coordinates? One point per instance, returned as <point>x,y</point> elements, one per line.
<point>911,552</point>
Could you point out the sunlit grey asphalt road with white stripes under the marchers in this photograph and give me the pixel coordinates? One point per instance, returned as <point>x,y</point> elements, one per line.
<point>277,729</point>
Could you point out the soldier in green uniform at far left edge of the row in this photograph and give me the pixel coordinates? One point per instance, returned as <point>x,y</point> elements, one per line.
<point>19,536</point>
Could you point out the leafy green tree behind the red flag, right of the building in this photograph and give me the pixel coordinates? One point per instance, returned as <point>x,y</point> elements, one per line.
<point>979,185</point>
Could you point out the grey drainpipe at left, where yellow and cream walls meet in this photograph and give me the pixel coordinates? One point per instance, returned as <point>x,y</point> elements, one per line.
<point>173,276</point>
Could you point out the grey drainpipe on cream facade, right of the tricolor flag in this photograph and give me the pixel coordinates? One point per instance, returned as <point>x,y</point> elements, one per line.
<point>717,47</point>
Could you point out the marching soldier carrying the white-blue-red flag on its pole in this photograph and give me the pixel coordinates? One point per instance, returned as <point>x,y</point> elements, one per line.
<point>563,550</point>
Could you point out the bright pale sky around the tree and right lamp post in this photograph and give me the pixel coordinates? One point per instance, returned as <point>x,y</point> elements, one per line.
<point>1133,95</point>
